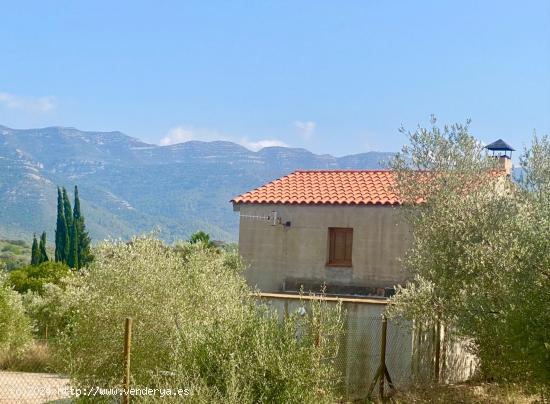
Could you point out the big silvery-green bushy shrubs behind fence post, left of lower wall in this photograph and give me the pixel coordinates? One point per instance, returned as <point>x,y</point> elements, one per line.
<point>196,325</point>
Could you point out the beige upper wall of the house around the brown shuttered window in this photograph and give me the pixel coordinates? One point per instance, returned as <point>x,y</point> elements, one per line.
<point>277,253</point>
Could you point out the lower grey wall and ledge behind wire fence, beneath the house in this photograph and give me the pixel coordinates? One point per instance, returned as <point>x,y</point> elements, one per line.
<point>412,353</point>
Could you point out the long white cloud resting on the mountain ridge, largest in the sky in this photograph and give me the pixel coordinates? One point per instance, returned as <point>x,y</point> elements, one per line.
<point>181,134</point>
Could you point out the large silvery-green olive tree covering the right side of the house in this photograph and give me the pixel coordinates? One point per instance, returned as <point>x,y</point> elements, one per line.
<point>480,257</point>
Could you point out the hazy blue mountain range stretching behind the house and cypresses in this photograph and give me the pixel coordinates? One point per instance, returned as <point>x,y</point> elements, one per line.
<point>129,187</point>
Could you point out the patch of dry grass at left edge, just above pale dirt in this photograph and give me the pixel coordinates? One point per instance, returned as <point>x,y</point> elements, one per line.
<point>35,358</point>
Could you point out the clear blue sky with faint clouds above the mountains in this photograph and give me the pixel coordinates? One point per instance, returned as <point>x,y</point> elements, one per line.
<point>335,77</point>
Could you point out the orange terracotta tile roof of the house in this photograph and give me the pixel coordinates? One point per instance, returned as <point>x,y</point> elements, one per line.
<point>333,187</point>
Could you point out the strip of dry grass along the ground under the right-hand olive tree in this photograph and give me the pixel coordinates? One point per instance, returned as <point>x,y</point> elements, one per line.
<point>468,393</point>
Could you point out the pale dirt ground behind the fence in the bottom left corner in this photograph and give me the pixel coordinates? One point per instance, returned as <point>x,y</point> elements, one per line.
<point>32,388</point>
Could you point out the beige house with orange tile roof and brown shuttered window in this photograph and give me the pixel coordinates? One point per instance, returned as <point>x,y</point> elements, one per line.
<point>334,228</point>
